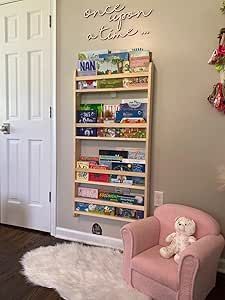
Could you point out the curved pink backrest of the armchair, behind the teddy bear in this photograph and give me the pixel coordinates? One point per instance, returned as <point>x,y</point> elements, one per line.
<point>206,225</point>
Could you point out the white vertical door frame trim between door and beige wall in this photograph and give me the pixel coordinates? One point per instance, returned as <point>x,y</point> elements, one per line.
<point>53,104</point>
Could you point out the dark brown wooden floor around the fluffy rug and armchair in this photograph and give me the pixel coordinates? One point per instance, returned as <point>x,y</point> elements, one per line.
<point>15,242</point>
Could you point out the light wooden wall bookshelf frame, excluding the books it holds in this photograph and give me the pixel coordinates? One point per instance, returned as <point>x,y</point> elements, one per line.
<point>145,143</point>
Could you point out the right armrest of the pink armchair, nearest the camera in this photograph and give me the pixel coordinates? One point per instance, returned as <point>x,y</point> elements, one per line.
<point>198,267</point>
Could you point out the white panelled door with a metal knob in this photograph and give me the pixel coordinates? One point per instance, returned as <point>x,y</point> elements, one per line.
<point>25,97</point>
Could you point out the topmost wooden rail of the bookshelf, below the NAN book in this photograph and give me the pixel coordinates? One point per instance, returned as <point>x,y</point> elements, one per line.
<point>112,76</point>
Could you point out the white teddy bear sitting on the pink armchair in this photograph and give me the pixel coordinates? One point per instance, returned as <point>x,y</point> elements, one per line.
<point>179,240</point>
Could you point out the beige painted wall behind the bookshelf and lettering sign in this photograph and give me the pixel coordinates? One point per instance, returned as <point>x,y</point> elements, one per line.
<point>188,135</point>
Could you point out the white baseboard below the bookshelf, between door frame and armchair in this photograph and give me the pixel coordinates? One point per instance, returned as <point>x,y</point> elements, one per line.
<point>87,238</point>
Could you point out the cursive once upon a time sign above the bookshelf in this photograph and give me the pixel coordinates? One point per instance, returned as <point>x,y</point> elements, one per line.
<point>116,14</point>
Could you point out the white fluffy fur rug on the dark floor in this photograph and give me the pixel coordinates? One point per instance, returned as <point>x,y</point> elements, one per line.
<point>79,272</point>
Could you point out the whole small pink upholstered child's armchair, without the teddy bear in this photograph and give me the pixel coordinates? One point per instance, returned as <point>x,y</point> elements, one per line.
<point>145,270</point>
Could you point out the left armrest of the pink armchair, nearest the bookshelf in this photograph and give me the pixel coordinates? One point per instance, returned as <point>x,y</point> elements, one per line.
<point>141,235</point>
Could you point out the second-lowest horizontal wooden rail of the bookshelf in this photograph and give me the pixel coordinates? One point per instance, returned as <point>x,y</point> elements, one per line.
<point>109,203</point>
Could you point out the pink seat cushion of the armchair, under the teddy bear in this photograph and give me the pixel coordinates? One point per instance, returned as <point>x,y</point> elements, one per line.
<point>150,264</point>
